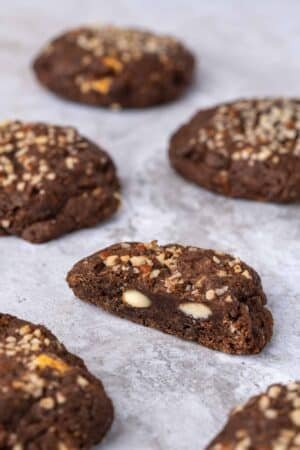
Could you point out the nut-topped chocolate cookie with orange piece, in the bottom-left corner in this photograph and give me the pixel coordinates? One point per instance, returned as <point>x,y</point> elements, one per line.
<point>48,398</point>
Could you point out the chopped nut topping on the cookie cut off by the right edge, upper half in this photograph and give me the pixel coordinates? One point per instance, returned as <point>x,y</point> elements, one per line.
<point>253,130</point>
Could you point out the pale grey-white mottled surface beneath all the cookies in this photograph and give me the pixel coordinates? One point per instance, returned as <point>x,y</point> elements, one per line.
<point>168,394</point>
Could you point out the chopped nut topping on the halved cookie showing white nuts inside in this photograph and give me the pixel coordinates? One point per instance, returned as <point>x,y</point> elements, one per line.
<point>164,267</point>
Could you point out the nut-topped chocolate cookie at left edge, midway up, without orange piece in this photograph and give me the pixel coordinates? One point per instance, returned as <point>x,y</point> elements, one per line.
<point>52,181</point>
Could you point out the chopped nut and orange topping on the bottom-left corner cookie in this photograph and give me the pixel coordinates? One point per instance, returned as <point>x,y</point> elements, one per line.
<point>37,372</point>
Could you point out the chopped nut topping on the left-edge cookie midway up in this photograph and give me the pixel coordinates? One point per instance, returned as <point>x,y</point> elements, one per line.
<point>27,152</point>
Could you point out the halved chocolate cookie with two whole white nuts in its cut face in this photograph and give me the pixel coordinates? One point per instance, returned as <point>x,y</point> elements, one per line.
<point>201,295</point>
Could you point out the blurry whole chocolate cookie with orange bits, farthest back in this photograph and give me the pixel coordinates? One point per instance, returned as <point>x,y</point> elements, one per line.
<point>115,67</point>
